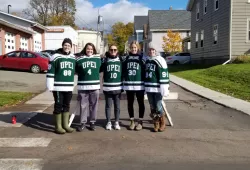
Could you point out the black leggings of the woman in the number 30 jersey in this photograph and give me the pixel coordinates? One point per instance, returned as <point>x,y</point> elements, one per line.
<point>140,100</point>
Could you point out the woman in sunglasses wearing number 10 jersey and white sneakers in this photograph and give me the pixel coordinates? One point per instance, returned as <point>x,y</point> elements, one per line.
<point>112,85</point>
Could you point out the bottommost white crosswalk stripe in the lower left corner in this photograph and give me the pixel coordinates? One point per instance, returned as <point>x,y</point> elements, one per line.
<point>21,164</point>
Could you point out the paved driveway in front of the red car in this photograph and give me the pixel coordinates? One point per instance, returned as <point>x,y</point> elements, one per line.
<point>22,81</point>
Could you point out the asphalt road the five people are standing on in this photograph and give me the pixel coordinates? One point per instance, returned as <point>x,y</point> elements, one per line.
<point>205,136</point>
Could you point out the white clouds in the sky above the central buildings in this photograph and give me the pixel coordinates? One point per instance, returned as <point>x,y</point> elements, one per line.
<point>86,16</point>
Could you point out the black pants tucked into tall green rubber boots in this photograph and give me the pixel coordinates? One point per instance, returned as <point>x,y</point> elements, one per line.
<point>62,101</point>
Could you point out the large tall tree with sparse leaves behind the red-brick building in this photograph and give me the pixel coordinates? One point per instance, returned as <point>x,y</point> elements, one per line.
<point>52,12</point>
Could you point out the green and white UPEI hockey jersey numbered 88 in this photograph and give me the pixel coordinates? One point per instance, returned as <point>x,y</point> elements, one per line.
<point>61,71</point>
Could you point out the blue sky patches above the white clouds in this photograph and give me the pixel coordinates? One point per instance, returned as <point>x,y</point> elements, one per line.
<point>153,4</point>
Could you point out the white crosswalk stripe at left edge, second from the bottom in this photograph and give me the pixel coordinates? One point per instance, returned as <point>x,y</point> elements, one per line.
<point>24,142</point>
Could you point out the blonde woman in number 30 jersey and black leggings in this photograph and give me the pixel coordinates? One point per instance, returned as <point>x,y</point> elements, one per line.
<point>134,74</point>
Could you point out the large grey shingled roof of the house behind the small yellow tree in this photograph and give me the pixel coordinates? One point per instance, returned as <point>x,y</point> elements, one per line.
<point>169,19</point>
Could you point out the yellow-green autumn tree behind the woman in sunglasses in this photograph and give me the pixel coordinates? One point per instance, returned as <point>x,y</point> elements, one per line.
<point>119,34</point>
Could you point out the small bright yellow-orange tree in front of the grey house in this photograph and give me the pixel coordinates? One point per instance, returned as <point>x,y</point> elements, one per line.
<point>172,42</point>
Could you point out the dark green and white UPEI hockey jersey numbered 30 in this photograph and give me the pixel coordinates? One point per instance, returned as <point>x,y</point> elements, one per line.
<point>134,73</point>
